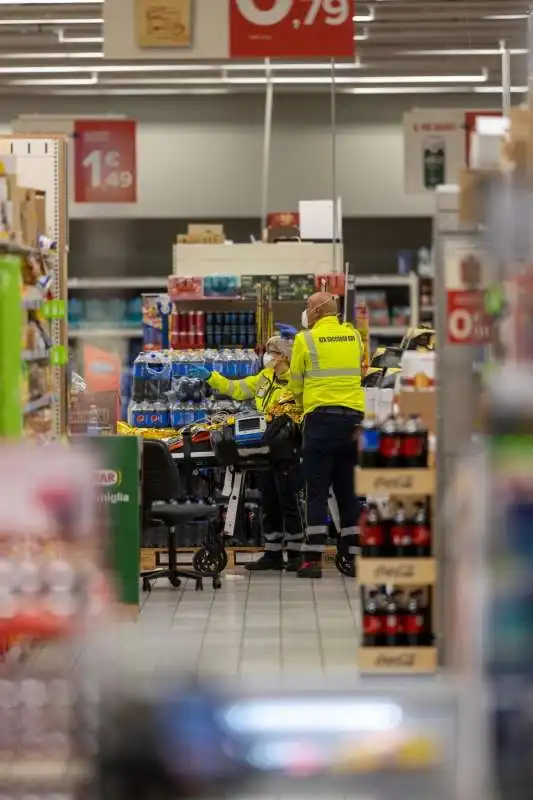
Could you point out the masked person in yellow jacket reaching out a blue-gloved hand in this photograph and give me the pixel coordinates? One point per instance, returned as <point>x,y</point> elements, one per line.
<point>282,519</point>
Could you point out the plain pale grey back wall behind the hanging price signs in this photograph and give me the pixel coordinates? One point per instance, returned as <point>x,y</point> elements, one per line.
<point>200,156</point>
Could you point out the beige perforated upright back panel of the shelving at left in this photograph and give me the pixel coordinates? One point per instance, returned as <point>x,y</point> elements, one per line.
<point>41,163</point>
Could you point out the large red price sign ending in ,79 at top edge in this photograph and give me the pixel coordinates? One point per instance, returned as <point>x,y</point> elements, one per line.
<point>291,28</point>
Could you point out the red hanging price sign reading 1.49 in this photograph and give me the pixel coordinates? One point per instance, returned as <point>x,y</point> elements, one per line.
<point>105,165</point>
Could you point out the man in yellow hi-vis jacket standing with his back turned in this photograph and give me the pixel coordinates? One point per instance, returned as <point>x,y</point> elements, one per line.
<point>326,382</point>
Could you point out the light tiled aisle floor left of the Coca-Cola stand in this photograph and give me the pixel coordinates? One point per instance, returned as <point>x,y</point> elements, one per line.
<point>273,624</point>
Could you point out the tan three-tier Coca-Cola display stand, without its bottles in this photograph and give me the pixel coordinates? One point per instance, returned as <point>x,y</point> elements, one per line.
<point>408,483</point>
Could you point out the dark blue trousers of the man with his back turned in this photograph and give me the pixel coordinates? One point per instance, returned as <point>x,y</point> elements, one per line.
<point>329,459</point>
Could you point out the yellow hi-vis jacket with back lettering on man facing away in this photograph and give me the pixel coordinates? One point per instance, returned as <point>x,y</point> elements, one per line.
<point>326,366</point>
